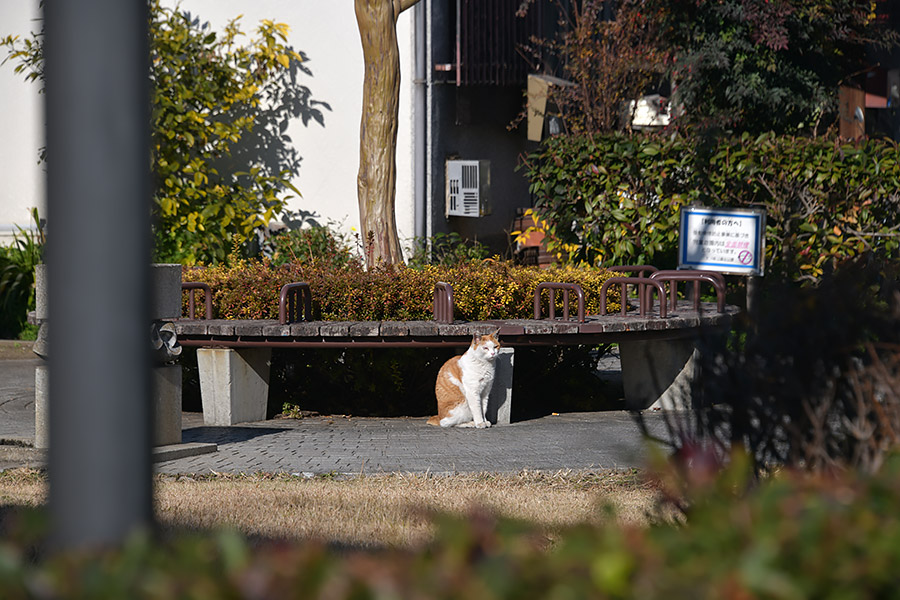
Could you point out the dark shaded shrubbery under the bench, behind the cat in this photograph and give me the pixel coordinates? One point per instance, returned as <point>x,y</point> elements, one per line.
<point>400,382</point>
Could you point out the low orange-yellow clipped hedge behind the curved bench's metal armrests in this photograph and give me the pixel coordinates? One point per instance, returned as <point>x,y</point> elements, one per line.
<point>482,289</point>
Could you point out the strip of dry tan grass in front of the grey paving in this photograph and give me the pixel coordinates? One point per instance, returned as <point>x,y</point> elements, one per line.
<point>392,510</point>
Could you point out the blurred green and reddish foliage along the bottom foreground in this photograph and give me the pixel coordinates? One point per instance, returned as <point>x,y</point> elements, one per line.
<point>792,536</point>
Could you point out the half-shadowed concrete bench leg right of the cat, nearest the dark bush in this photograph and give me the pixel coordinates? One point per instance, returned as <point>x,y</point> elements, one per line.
<point>658,373</point>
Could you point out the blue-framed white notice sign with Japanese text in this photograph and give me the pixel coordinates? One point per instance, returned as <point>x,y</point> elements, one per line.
<point>723,240</point>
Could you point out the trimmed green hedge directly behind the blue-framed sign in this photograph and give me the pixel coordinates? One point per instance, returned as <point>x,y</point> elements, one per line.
<point>615,199</point>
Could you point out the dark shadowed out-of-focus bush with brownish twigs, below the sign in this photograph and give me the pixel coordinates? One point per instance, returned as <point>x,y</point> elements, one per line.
<point>812,381</point>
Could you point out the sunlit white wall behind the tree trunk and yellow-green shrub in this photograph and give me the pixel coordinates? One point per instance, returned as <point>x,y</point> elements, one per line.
<point>324,29</point>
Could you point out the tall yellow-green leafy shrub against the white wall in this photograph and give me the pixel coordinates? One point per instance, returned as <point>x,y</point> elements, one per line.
<point>221,159</point>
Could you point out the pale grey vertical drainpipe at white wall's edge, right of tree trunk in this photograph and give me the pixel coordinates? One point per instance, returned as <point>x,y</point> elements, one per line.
<point>419,122</point>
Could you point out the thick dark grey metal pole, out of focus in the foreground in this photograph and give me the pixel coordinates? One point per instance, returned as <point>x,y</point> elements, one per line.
<point>98,260</point>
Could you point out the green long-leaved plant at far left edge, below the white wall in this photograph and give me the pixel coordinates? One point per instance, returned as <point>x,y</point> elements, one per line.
<point>17,262</point>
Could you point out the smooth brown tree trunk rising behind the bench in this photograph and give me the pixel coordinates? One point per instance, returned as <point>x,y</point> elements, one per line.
<point>376,182</point>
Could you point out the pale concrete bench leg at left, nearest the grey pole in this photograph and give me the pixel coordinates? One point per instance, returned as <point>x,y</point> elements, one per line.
<point>234,384</point>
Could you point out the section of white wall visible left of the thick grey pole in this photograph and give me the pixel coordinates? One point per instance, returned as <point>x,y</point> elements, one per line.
<point>21,128</point>
